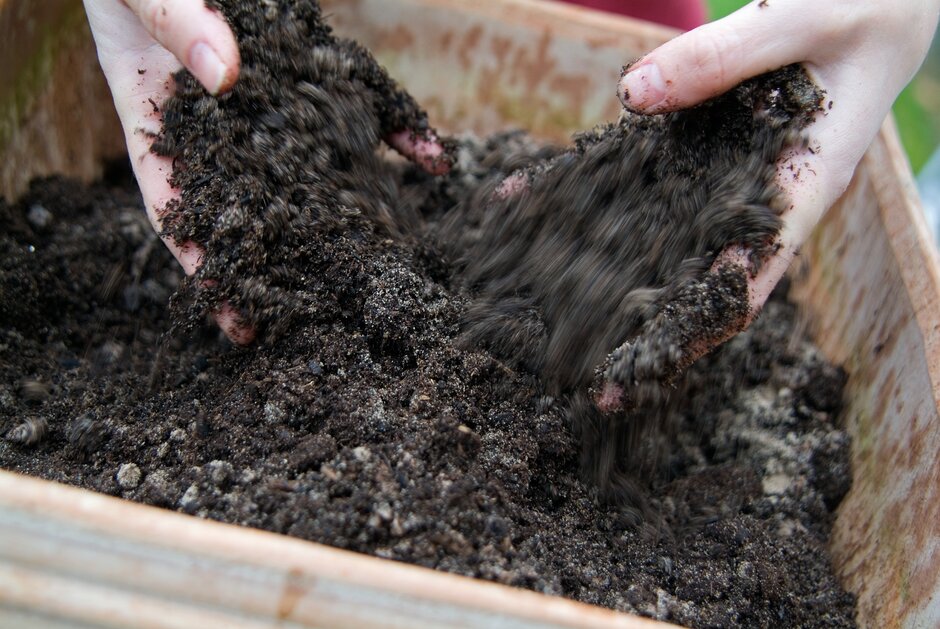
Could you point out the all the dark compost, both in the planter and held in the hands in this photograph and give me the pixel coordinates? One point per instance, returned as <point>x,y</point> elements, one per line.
<point>409,395</point>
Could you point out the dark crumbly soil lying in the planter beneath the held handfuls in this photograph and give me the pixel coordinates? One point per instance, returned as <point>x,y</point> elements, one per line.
<point>443,457</point>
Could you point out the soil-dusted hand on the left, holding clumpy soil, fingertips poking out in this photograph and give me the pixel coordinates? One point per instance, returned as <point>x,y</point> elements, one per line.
<point>141,43</point>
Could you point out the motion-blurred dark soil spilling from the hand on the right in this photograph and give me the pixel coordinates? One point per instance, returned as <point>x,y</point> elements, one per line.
<point>627,222</point>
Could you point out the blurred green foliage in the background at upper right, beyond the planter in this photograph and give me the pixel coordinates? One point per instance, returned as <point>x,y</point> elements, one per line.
<point>917,109</point>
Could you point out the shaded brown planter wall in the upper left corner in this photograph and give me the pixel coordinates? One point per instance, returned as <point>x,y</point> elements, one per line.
<point>56,114</point>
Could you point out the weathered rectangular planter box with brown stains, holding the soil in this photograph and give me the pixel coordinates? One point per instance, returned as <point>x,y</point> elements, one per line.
<point>867,282</point>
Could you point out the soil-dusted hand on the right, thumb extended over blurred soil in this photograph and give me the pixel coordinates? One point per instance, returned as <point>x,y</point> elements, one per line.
<point>861,53</point>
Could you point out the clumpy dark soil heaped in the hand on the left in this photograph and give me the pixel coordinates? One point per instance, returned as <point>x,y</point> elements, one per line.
<point>280,179</point>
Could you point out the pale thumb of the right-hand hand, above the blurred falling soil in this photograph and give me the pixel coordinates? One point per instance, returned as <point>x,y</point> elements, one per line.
<point>713,58</point>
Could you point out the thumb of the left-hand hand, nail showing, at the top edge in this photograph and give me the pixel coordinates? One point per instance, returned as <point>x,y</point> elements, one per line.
<point>199,37</point>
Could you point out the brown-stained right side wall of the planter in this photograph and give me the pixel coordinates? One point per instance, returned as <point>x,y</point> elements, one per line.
<point>870,291</point>
